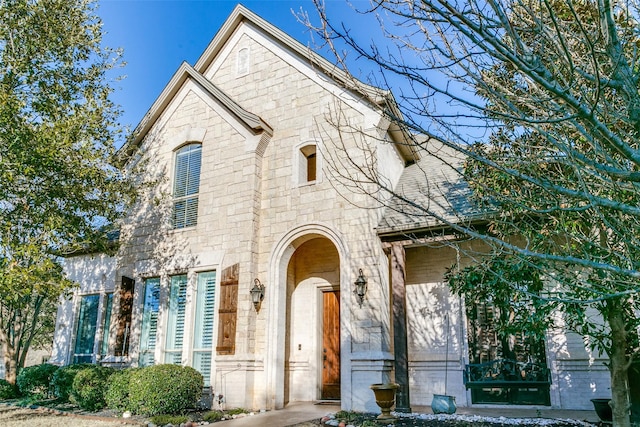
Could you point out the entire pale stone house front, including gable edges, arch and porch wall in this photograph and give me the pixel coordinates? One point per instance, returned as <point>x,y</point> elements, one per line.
<point>301,238</point>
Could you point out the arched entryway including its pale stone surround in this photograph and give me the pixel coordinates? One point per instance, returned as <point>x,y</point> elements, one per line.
<point>308,280</point>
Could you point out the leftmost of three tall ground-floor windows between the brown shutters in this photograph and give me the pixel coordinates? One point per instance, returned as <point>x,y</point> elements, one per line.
<point>149,321</point>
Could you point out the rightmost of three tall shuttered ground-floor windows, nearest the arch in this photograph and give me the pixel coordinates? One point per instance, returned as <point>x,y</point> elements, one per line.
<point>203,332</point>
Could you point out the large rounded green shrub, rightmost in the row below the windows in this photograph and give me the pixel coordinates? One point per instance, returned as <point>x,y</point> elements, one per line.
<point>164,389</point>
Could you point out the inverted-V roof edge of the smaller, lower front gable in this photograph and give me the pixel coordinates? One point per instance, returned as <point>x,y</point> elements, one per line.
<point>186,72</point>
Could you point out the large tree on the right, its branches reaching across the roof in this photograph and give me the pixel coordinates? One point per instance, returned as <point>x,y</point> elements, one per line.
<point>541,100</point>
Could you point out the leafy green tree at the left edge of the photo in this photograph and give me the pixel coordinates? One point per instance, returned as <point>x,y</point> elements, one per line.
<point>58,189</point>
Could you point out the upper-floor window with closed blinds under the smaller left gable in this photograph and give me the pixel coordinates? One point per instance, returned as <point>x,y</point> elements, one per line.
<point>186,186</point>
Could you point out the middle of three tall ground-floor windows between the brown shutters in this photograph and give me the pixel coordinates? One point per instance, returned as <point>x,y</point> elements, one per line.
<point>175,323</point>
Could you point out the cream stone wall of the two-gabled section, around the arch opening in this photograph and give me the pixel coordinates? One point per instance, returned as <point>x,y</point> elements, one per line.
<point>249,200</point>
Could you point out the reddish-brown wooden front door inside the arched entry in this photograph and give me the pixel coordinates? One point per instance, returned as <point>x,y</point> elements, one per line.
<point>331,345</point>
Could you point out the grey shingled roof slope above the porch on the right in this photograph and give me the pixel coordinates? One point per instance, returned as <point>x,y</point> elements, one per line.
<point>432,194</point>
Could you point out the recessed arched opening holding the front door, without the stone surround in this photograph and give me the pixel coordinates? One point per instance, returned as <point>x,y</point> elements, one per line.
<point>312,340</point>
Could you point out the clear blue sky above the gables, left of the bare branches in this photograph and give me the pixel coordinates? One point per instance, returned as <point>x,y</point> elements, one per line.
<point>157,35</point>
